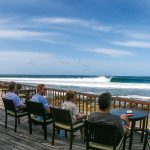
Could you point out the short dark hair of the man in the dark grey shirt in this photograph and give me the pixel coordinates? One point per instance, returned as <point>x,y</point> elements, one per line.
<point>104,100</point>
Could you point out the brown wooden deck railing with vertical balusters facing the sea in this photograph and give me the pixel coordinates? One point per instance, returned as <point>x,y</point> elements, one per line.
<point>87,102</point>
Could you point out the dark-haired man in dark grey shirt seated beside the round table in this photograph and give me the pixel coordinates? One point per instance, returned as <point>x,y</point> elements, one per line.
<point>104,115</point>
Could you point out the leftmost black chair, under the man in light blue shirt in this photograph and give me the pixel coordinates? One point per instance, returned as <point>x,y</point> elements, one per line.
<point>10,109</point>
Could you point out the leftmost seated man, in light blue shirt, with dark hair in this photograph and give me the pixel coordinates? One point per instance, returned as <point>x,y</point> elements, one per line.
<point>11,95</point>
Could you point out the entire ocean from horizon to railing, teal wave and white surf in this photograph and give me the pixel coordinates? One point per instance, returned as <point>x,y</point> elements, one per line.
<point>136,87</point>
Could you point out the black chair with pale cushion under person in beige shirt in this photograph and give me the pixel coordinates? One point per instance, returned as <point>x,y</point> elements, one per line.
<point>63,120</point>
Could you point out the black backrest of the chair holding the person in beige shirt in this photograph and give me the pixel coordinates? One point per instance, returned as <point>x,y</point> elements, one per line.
<point>62,116</point>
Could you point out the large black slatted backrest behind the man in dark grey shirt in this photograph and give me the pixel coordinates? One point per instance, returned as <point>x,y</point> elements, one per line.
<point>103,133</point>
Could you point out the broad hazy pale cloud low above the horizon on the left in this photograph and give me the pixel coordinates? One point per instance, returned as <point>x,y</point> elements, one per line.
<point>37,61</point>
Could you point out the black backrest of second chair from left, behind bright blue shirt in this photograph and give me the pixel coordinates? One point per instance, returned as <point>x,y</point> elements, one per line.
<point>35,108</point>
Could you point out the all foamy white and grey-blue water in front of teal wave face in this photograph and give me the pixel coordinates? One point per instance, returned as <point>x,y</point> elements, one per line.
<point>95,85</point>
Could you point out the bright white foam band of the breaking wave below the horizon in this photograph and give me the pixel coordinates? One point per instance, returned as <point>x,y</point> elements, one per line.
<point>97,82</point>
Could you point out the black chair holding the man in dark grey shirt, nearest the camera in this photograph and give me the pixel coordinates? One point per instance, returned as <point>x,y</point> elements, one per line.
<point>103,136</point>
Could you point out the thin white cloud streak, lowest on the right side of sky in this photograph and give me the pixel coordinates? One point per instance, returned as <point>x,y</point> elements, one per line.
<point>112,52</point>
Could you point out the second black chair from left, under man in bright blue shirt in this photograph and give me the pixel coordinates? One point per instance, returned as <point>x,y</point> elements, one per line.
<point>36,109</point>
